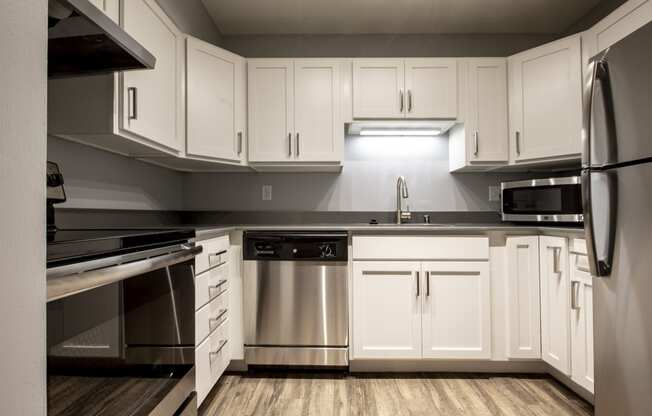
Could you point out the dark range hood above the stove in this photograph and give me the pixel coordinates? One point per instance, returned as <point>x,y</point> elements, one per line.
<point>82,40</point>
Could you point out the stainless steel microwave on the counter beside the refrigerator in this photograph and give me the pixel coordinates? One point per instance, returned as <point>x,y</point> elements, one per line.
<point>543,200</point>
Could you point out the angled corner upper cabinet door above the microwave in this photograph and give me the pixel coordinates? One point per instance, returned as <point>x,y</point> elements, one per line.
<point>546,101</point>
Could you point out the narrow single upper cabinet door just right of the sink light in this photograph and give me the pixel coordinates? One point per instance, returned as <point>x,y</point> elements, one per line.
<point>487,111</point>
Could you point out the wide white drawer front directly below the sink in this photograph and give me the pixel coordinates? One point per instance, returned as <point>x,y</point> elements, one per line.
<point>420,248</point>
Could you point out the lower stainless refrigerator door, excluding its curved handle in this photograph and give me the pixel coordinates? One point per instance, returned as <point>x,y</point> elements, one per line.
<point>622,302</point>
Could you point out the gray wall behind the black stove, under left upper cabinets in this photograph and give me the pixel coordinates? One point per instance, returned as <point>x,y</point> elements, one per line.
<point>98,179</point>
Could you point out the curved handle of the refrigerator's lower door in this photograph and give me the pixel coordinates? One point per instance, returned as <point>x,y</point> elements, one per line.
<point>599,198</point>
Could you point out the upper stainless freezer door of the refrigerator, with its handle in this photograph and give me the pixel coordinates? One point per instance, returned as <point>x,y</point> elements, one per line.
<point>618,103</point>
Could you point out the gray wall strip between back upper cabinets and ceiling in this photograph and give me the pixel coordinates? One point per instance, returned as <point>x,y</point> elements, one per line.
<point>261,46</point>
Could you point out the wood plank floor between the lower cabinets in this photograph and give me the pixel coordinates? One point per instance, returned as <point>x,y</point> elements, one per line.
<point>305,394</point>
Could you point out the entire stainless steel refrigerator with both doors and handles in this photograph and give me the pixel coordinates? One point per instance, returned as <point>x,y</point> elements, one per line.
<point>617,193</point>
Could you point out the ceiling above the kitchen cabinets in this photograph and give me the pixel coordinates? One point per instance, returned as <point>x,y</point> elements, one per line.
<point>395,16</point>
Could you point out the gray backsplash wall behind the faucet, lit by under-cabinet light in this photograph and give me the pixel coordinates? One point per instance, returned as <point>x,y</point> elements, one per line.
<point>367,182</point>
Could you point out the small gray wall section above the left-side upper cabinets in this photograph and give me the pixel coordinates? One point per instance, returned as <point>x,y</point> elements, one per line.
<point>192,18</point>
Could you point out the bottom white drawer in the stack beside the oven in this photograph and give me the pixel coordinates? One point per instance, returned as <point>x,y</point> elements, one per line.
<point>211,359</point>
